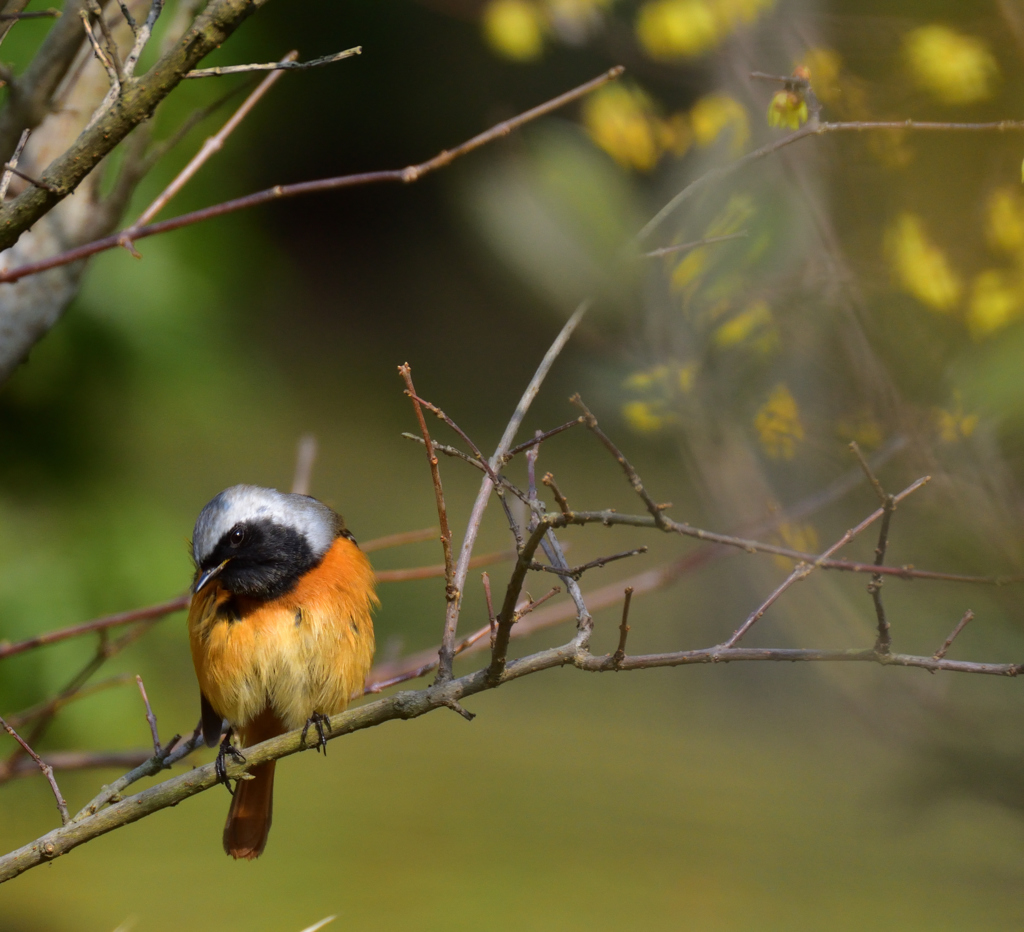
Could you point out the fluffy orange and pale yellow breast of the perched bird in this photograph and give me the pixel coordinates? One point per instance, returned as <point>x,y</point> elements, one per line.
<point>309,651</point>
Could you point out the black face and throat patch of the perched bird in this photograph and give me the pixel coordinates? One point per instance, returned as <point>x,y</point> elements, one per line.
<point>261,560</point>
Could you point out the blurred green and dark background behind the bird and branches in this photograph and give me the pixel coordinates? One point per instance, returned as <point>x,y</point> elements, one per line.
<point>877,296</point>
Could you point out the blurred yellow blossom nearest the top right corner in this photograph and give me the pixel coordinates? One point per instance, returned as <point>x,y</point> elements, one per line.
<point>952,67</point>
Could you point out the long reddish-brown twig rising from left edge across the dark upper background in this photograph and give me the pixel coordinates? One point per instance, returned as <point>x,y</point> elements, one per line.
<point>403,176</point>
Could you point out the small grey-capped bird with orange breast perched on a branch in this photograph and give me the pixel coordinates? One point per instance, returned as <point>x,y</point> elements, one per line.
<point>281,631</point>
